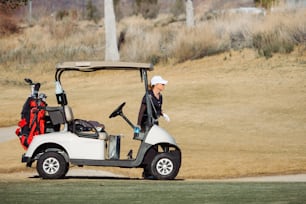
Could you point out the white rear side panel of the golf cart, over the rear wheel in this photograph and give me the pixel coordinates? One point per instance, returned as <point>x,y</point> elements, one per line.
<point>76,147</point>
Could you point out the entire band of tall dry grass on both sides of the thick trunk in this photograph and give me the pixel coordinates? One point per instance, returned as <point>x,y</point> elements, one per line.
<point>146,40</point>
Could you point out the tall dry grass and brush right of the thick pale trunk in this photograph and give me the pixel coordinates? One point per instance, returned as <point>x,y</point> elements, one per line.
<point>273,33</point>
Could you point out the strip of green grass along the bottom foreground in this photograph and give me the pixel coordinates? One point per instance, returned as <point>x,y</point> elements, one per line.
<point>137,191</point>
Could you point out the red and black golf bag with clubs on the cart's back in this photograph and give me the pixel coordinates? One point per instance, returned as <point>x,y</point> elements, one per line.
<point>32,117</point>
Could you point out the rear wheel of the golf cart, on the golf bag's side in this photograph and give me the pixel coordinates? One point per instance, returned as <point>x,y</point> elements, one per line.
<point>52,165</point>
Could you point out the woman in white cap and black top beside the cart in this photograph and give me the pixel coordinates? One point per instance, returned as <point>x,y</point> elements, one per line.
<point>156,87</point>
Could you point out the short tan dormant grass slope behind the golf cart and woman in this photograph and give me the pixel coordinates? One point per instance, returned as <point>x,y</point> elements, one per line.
<point>235,114</point>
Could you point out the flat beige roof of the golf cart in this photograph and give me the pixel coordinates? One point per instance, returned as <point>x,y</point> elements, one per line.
<point>90,66</point>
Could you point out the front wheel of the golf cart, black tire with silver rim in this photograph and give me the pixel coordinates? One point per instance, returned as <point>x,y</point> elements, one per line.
<point>164,166</point>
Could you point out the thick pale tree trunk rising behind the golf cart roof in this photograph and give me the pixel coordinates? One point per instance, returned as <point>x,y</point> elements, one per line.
<point>111,49</point>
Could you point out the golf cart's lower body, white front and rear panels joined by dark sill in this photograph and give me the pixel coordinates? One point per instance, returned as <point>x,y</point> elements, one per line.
<point>86,151</point>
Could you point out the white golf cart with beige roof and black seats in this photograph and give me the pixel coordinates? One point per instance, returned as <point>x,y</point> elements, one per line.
<point>86,143</point>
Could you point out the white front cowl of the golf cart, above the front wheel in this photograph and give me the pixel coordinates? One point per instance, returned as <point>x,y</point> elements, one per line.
<point>159,135</point>
